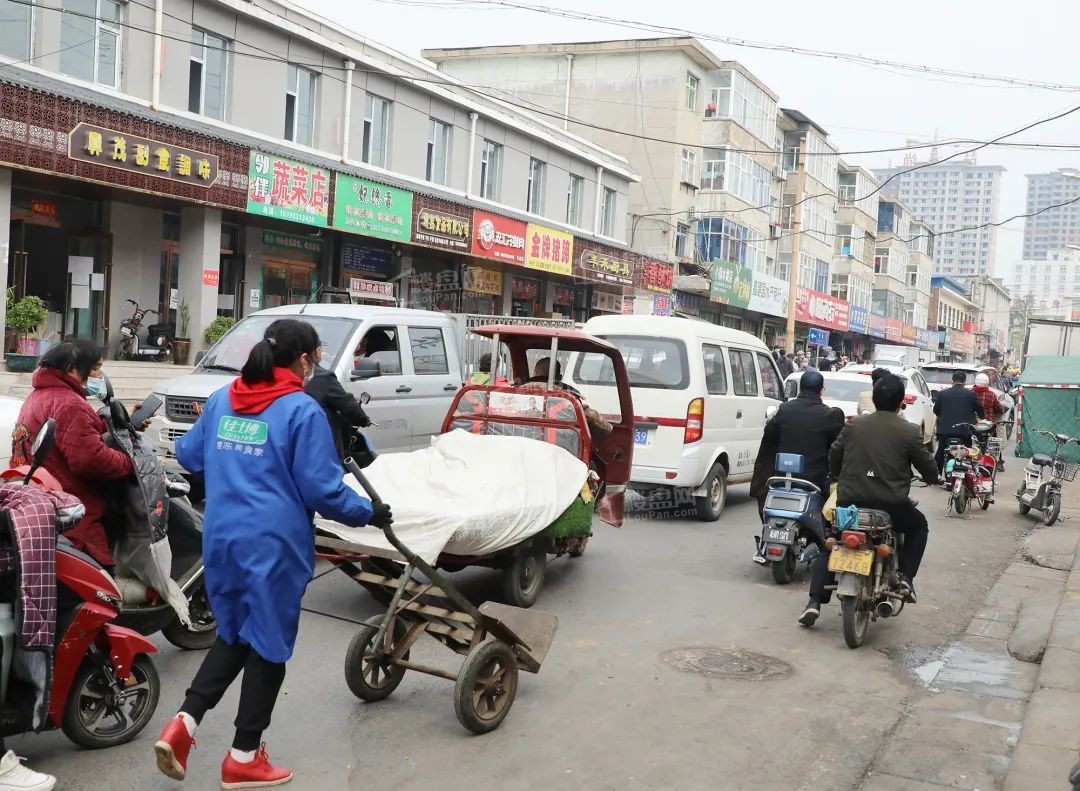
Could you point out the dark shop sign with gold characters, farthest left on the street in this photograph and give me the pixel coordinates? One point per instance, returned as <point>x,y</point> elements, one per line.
<point>107,148</point>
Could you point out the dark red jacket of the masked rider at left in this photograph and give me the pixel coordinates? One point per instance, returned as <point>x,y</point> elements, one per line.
<point>80,460</point>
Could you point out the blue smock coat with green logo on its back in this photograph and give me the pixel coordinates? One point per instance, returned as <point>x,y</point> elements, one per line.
<point>266,474</point>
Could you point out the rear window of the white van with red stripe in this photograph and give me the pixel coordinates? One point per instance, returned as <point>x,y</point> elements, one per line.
<point>651,363</point>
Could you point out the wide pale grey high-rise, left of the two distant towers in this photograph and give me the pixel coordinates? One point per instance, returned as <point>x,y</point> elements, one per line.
<point>949,197</point>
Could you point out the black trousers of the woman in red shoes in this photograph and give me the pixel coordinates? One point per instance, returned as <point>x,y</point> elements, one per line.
<point>259,692</point>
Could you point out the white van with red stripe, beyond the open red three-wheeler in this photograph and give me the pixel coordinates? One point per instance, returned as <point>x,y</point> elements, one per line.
<point>703,395</point>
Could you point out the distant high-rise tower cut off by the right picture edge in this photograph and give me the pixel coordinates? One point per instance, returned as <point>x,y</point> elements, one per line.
<point>1054,229</point>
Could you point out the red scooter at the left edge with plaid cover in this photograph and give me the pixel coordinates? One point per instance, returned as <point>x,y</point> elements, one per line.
<point>104,688</point>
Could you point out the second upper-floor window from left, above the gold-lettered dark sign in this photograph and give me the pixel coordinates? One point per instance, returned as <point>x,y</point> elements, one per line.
<point>90,42</point>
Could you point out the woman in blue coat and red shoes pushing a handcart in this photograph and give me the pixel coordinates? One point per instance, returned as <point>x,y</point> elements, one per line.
<point>265,451</point>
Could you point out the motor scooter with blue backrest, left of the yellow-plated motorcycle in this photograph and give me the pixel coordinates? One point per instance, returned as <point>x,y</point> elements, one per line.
<point>793,527</point>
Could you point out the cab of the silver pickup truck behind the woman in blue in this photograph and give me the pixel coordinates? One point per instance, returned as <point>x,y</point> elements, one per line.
<point>409,381</point>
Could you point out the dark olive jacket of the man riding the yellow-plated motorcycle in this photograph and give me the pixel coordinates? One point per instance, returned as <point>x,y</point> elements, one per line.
<point>873,458</point>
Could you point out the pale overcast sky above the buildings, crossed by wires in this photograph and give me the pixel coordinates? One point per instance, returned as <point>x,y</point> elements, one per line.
<point>860,106</point>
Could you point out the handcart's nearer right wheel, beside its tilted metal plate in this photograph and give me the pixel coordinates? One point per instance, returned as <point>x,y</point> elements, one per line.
<point>487,687</point>
